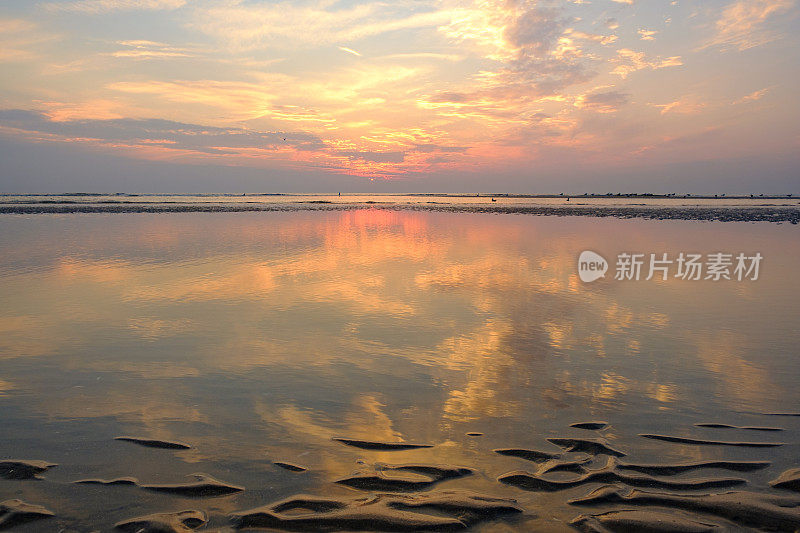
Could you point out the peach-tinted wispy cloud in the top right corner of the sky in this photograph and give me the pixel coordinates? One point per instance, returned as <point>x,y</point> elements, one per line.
<point>744,24</point>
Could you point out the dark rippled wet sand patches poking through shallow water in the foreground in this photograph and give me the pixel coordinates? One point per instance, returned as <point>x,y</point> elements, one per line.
<point>406,496</point>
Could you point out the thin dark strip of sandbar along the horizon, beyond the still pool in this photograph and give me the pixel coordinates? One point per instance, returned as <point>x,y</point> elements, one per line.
<point>773,213</point>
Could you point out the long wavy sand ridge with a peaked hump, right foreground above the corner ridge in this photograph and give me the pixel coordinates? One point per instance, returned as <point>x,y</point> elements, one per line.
<point>609,474</point>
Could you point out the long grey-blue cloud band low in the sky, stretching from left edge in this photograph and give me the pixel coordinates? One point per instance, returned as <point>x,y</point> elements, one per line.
<point>163,139</point>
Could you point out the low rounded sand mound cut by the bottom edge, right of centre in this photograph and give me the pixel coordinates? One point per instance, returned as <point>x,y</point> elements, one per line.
<point>643,522</point>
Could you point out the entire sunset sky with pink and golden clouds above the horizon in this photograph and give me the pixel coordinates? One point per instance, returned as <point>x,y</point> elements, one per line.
<point>573,96</point>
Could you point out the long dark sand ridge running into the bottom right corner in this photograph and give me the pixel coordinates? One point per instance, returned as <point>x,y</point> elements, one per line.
<point>776,513</point>
